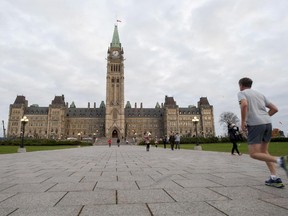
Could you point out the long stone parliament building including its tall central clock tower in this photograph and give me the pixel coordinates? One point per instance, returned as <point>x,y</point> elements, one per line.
<point>113,118</point>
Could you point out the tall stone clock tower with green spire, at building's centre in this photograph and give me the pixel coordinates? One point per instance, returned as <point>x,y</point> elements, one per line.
<point>115,115</point>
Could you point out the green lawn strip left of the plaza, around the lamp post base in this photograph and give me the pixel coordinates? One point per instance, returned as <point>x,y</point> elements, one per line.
<point>14,149</point>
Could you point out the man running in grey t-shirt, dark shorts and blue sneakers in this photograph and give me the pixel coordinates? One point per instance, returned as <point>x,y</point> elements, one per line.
<point>256,120</point>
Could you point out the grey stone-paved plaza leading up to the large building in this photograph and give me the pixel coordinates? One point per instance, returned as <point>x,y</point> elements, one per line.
<point>127,180</point>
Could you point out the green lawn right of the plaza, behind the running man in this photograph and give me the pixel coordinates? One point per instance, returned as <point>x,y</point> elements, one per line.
<point>275,148</point>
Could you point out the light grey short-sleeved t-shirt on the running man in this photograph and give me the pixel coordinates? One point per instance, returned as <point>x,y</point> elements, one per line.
<point>257,102</point>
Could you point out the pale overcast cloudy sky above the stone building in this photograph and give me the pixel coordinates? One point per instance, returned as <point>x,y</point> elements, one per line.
<point>184,49</point>
